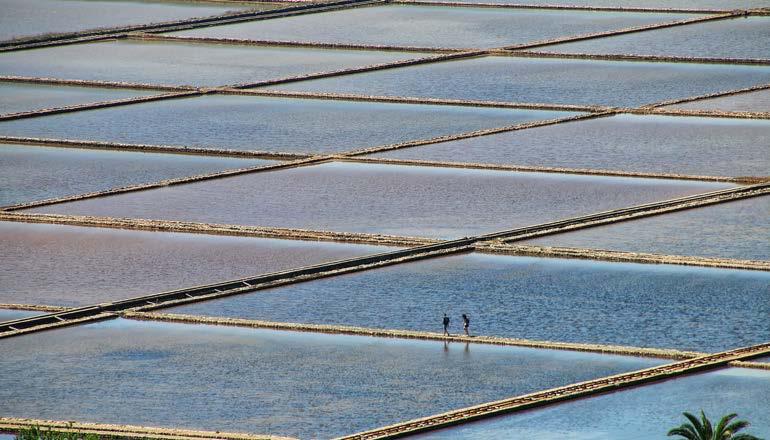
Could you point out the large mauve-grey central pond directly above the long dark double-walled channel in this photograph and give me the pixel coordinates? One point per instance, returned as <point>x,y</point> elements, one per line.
<point>386,199</point>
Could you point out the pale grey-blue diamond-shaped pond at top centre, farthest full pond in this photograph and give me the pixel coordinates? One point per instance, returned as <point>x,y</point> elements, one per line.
<point>434,26</point>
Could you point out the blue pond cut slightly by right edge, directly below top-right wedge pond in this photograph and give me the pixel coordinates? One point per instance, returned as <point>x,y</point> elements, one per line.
<point>545,80</point>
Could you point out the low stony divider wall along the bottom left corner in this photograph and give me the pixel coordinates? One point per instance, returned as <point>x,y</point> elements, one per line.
<point>126,431</point>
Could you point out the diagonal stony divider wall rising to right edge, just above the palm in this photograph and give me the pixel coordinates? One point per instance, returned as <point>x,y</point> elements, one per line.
<point>561,394</point>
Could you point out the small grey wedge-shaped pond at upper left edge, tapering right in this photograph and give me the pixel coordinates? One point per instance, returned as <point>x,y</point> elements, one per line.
<point>24,97</point>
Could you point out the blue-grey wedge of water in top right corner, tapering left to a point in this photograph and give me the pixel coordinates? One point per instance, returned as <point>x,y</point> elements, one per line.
<point>745,37</point>
